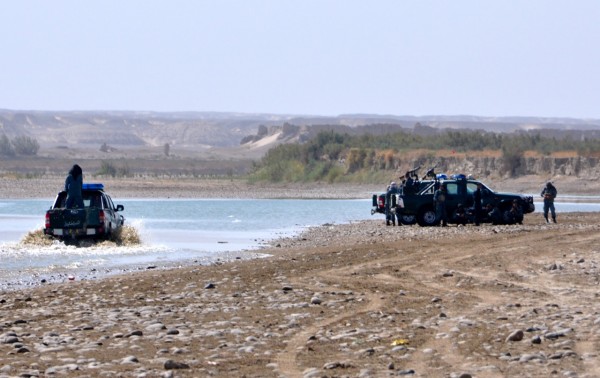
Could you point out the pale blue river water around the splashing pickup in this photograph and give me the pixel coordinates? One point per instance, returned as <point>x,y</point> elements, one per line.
<point>174,230</point>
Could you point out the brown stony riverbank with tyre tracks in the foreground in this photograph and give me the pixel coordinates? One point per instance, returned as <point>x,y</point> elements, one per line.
<point>344,300</point>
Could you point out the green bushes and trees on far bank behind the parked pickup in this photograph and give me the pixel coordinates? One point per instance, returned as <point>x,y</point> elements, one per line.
<point>331,156</point>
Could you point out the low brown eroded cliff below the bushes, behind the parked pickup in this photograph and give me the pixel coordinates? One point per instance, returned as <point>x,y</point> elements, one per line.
<point>584,167</point>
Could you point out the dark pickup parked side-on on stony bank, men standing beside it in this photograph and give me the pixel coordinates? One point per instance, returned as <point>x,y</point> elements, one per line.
<point>418,205</point>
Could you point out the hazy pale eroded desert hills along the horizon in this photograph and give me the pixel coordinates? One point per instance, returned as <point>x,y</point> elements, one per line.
<point>201,130</point>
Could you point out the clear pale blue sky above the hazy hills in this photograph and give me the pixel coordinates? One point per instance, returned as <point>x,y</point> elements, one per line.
<point>312,57</point>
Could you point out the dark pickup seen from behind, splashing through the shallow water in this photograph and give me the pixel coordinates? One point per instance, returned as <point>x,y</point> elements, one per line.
<point>99,219</point>
